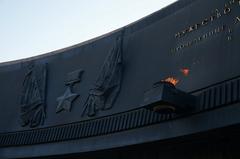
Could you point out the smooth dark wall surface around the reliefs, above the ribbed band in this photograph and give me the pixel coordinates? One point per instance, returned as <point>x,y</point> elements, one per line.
<point>151,53</point>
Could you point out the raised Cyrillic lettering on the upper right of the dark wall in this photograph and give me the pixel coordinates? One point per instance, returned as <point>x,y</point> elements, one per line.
<point>228,29</point>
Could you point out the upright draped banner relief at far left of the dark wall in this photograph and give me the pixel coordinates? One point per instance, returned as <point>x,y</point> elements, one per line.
<point>32,103</point>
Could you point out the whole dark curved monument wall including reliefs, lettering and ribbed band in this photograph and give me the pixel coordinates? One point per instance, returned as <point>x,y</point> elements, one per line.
<point>91,96</point>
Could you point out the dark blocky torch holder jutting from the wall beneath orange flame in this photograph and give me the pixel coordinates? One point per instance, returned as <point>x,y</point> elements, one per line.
<point>163,97</point>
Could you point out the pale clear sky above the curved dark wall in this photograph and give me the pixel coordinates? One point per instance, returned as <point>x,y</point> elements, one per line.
<point>32,27</point>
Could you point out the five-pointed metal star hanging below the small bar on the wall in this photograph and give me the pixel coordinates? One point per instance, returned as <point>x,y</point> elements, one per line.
<point>65,101</point>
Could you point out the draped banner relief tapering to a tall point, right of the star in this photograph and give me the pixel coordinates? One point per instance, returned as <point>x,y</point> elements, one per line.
<point>108,84</point>
